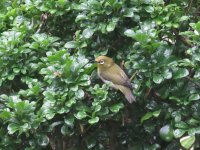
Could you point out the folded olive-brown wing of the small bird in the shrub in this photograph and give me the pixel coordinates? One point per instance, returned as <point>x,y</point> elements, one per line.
<point>117,76</point>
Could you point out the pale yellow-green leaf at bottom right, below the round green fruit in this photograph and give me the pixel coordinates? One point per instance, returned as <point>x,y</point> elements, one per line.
<point>187,141</point>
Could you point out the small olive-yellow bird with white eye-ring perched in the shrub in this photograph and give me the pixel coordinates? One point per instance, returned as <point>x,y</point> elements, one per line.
<point>111,74</point>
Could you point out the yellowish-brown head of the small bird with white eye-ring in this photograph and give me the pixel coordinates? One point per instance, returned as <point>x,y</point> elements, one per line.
<point>104,62</point>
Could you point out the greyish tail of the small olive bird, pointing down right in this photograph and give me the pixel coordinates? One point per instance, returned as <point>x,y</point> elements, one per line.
<point>127,92</point>
